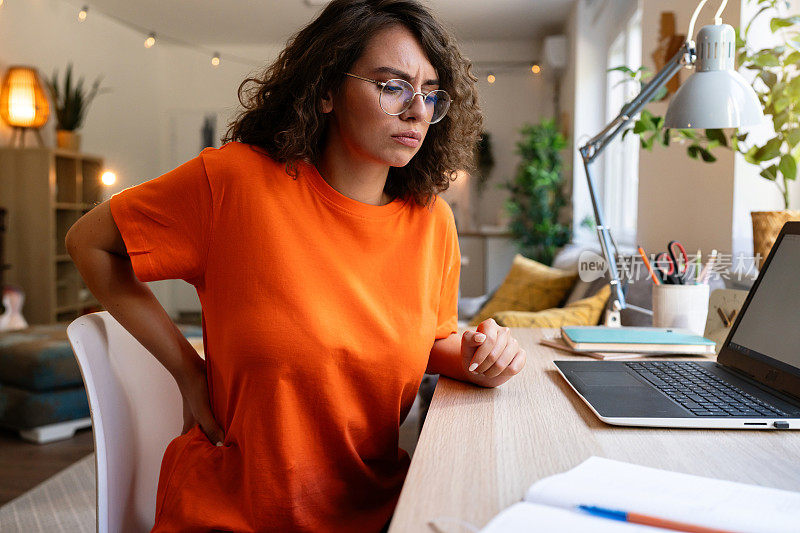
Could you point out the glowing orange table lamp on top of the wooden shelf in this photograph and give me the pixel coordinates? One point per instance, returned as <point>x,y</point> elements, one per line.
<point>23,103</point>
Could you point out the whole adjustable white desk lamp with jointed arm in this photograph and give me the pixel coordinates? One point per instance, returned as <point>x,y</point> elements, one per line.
<point>714,96</point>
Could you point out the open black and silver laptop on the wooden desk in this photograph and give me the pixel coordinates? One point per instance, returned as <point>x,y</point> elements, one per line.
<point>753,384</point>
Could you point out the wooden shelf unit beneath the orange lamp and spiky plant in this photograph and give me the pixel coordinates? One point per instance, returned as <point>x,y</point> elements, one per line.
<point>45,191</point>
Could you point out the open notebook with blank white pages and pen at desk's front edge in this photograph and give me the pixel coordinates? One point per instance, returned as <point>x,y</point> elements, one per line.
<point>552,503</point>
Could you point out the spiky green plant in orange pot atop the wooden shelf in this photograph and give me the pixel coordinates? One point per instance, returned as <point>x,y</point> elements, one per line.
<point>71,104</point>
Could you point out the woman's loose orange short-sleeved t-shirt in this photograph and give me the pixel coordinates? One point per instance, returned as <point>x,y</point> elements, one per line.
<point>319,314</point>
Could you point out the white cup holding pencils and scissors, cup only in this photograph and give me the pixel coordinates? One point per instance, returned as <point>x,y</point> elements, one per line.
<point>681,306</point>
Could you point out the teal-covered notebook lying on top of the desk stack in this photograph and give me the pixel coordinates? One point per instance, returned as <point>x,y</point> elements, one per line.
<point>632,335</point>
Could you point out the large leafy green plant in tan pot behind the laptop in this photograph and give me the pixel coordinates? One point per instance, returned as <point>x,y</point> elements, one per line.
<point>777,84</point>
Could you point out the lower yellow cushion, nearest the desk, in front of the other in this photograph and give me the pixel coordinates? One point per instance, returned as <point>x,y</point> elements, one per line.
<point>586,312</point>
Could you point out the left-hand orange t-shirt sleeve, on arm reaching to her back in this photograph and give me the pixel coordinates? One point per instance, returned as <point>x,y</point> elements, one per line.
<point>166,223</point>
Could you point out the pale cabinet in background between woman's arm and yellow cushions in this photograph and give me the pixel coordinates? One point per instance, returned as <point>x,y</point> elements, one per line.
<point>486,258</point>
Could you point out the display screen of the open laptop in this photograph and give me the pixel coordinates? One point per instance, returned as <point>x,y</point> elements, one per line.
<point>768,329</point>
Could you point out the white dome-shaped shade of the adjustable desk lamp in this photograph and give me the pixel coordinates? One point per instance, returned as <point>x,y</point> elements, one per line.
<point>715,96</point>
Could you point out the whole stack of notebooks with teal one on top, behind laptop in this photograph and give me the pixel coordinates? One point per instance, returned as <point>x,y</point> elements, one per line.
<point>603,342</point>
